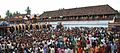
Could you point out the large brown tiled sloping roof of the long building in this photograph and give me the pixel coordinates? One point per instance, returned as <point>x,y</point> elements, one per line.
<point>91,10</point>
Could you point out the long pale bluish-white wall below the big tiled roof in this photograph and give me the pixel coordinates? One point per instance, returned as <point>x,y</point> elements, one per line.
<point>101,23</point>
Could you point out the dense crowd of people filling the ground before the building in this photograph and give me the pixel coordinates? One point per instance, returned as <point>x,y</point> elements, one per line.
<point>62,40</point>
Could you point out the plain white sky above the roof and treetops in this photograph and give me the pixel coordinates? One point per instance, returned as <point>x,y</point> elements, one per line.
<point>39,6</point>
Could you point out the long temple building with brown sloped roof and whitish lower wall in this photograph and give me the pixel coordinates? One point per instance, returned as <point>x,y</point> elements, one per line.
<point>91,16</point>
